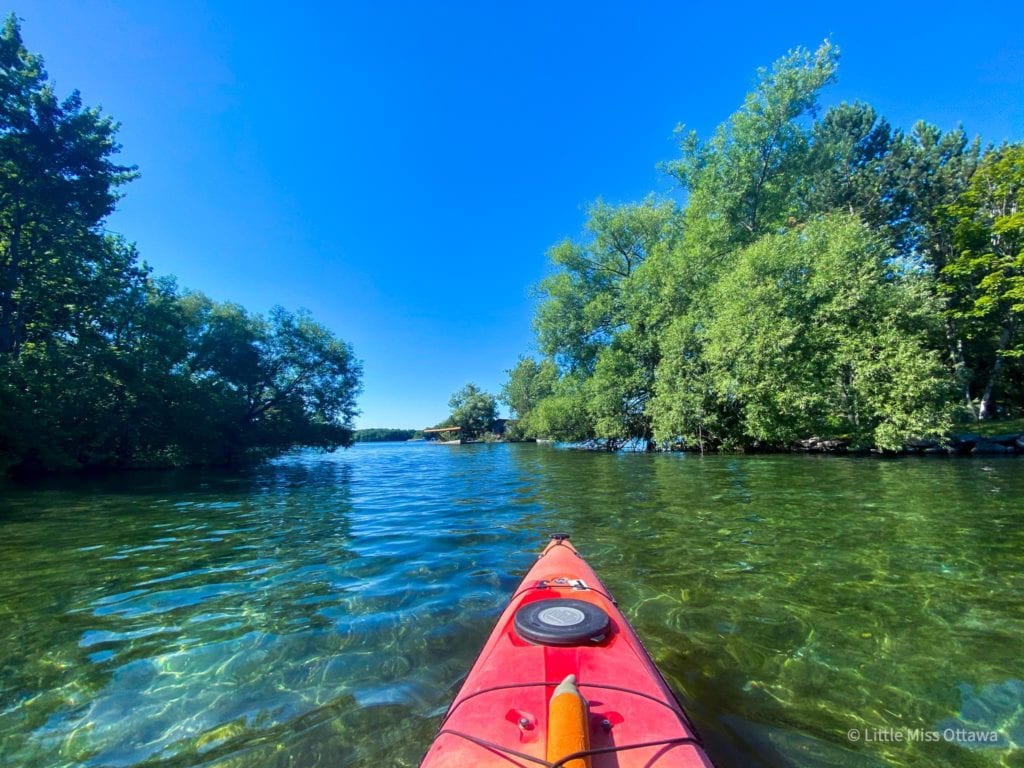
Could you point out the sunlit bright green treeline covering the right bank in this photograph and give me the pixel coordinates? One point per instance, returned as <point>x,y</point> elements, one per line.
<point>827,276</point>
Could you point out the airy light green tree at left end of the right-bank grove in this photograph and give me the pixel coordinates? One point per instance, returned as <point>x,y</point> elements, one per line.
<point>600,319</point>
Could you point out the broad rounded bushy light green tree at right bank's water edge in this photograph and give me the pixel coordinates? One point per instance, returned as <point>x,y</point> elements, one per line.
<point>813,335</point>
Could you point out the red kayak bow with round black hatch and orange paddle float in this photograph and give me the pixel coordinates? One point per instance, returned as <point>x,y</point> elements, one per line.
<point>564,680</point>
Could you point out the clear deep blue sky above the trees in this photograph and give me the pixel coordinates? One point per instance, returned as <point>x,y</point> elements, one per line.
<point>400,169</point>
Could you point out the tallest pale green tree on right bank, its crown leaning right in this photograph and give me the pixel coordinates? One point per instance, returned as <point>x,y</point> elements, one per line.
<point>743,184</point>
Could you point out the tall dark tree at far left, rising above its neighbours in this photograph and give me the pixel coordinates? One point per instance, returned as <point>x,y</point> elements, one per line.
<point>58,185</point>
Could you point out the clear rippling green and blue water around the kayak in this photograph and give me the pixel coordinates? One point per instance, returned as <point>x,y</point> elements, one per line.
<point>323,611</point>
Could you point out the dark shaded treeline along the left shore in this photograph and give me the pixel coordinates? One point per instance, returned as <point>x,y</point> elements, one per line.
<point>102,365</point>
